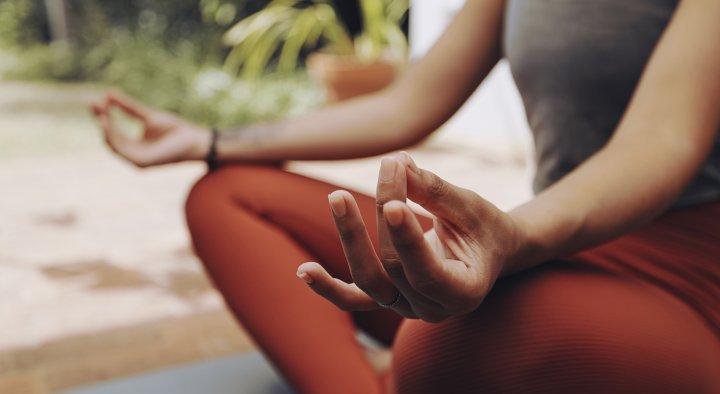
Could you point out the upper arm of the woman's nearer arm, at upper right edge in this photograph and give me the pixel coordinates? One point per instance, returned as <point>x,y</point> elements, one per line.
<point>677,101</point>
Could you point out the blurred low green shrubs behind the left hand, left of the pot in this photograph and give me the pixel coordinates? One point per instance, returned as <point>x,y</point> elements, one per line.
<point>173,79</point>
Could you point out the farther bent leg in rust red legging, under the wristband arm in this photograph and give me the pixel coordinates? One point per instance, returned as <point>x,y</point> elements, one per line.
<point>252,226</point>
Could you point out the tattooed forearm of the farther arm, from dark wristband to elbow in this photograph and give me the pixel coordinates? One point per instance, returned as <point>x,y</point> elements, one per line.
<point>365,126</point>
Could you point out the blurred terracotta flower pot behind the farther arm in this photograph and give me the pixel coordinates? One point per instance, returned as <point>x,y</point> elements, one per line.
<point>345,76</point>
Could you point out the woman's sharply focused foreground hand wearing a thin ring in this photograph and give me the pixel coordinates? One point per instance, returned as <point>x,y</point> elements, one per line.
<point>473,243</point>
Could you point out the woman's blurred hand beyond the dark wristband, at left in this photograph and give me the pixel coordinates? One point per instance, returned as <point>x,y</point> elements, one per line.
<point>167,138</point>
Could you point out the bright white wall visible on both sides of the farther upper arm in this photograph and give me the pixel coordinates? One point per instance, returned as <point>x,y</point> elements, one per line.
<point>493,118</point>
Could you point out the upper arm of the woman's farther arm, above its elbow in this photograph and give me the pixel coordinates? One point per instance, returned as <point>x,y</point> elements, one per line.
<point>436,86</point>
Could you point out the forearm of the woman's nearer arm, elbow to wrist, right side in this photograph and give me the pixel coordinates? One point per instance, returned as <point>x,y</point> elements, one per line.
<point>623,186</point>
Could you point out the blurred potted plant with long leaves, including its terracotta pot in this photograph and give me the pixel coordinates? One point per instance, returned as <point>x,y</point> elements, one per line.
<point>346,66</point>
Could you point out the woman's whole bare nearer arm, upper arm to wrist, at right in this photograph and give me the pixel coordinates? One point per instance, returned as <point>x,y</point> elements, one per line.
<point>662,141</point>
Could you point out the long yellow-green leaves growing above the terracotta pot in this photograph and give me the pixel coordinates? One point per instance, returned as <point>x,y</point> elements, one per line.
<point>289,26</point>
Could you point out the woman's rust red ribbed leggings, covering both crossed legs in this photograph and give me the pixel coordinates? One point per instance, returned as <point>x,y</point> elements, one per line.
<point>600,322</point>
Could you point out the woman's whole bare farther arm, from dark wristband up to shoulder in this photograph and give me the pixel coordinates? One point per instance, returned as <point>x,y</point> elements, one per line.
<point>427,94</point>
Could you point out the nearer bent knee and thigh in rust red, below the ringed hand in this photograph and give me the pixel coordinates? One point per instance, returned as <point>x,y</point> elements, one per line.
<point>598,337</point>
